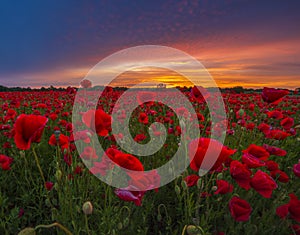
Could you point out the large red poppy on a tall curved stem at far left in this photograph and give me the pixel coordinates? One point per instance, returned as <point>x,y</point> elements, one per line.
<point>28,129</point>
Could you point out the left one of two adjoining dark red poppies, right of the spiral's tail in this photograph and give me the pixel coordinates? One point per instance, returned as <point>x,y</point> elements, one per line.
<point>241,174</point>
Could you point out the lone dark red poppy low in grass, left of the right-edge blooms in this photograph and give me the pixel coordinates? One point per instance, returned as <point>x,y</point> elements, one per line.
<point>240,209</point>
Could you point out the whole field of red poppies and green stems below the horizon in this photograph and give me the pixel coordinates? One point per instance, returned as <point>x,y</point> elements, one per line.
<point>49,187</point>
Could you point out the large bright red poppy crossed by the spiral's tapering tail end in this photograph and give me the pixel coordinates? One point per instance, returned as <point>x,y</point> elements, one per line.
<point>202,150</point>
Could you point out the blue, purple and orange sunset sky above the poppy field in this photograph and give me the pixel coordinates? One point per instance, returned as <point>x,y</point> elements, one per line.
<point>241,43</point>
